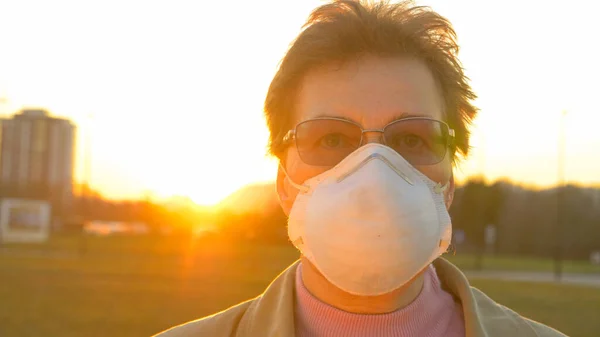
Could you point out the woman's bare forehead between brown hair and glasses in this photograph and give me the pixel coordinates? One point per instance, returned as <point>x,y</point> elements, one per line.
<point>370,91</point>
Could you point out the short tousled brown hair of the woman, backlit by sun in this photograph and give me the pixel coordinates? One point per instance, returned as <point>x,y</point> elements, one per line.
<point>345,30</point>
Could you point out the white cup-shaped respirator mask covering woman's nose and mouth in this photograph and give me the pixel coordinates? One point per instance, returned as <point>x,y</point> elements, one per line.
<point>371,223</point>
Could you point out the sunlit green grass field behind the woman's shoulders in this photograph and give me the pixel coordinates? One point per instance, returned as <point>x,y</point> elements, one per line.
<point>139,287</point>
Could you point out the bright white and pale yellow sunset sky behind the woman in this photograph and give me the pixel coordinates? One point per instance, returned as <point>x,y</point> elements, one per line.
<point>170,93</point>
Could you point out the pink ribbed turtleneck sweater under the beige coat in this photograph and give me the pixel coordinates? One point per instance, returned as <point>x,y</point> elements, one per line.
<point>432,314</point>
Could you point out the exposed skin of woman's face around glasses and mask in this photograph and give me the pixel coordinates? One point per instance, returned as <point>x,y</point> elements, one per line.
<point>371,92</point>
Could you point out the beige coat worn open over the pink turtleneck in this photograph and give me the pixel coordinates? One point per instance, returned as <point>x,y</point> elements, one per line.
<point>272,313</point>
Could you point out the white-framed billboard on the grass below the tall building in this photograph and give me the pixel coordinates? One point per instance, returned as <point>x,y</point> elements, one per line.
<point>24,220</point>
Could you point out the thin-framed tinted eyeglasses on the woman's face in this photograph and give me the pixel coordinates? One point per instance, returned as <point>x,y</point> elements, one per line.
<point>325,141</point>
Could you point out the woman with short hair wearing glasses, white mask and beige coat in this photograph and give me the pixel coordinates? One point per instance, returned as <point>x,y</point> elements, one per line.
<point>367,114</point>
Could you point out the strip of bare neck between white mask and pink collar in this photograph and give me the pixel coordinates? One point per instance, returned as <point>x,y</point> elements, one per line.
<point>326,292</point>
